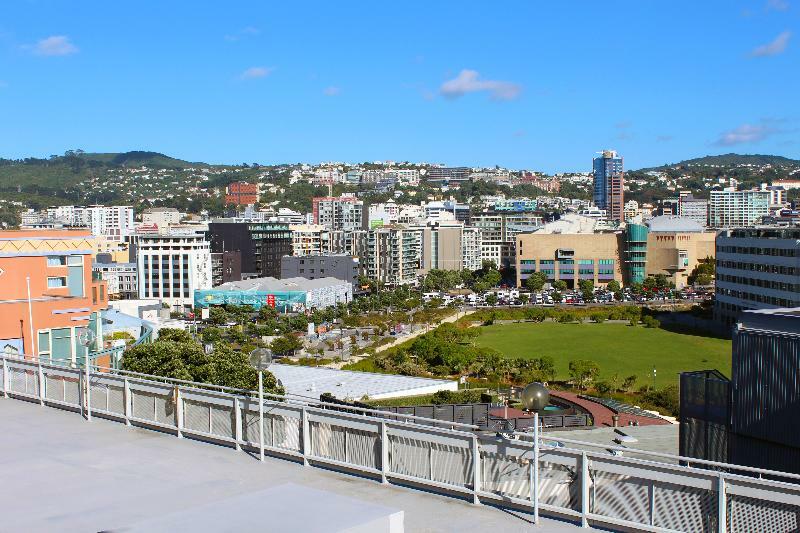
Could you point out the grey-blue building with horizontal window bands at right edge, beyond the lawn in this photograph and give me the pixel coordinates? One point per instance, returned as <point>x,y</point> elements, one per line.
<point>757,268</point>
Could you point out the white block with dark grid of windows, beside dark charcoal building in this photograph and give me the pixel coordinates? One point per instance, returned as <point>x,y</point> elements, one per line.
<point>172,266</point>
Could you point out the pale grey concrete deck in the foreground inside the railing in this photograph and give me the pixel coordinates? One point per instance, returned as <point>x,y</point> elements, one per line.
<point>61,473</point>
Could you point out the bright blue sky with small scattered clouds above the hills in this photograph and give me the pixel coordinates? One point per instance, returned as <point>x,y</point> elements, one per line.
<point>538,85</point>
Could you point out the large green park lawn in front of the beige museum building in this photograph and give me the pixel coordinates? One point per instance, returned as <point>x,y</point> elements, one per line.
<point>616,348</point>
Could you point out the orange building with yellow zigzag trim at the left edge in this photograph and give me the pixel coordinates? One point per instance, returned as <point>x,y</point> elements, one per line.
<point>48,293</point>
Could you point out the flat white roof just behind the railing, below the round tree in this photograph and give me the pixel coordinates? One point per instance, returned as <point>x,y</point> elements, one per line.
<point>311,381</point>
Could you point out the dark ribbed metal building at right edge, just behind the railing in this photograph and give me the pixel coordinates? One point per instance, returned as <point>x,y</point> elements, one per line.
<point>753,418</point>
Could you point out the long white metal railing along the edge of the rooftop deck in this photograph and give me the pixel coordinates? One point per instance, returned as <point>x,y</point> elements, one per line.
<point>591,483</point>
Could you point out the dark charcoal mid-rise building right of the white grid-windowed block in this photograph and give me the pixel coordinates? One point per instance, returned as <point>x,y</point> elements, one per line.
<point>262,245</point>
